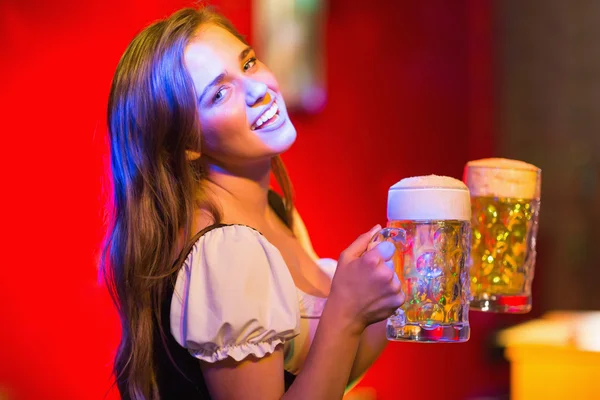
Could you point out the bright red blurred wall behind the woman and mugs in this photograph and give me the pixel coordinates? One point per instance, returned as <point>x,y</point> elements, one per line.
<point>409,93</point>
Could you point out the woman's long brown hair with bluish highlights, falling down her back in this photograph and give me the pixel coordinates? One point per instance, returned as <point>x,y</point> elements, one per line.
<point>152,121</point>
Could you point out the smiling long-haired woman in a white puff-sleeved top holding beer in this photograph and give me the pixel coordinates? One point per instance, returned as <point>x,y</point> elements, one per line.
<point>219,290</point>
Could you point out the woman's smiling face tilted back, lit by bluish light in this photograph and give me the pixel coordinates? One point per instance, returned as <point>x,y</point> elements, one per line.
<point>242,114</point>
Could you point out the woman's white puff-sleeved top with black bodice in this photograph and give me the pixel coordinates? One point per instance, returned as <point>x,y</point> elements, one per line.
<point>233,297</point>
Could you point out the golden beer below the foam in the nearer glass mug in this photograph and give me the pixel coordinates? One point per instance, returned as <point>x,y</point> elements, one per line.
<point>432,267</point>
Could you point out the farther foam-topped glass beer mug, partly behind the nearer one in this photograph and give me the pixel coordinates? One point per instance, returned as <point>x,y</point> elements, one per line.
<point>505,199</point>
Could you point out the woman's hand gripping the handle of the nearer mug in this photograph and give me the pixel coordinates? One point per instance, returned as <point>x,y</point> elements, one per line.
<point>364,289</point>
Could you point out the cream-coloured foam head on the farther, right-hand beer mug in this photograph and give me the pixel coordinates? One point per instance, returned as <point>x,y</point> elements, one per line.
<point>502,177</point>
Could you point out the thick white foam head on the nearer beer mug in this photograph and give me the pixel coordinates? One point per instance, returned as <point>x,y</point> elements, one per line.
<point>429,197</point>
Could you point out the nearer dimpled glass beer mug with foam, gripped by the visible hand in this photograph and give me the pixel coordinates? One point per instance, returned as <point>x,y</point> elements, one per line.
<point>428,221</point>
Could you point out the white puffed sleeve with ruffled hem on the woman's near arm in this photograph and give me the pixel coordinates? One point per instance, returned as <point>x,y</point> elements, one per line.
<point>233,297</point>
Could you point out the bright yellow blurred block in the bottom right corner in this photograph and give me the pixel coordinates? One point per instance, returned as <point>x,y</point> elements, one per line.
<point>555,357</point>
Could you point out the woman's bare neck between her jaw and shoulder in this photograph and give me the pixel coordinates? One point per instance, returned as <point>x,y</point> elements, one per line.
<point>240,191</point>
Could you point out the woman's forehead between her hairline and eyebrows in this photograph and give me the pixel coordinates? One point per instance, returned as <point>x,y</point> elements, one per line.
<point>212,51</point>
